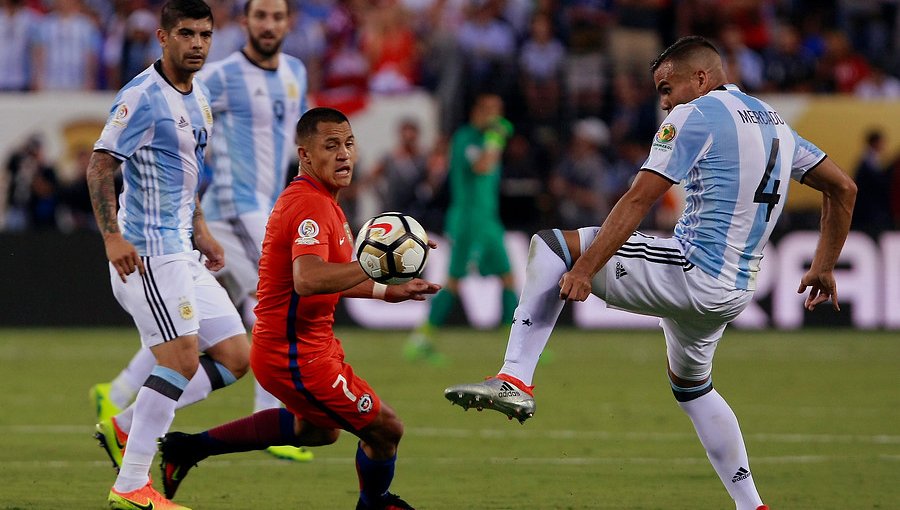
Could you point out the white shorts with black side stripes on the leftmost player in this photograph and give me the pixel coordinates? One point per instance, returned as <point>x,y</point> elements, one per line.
<point>177,296</point>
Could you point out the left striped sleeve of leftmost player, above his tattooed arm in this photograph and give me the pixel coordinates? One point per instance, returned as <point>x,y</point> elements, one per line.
<point>129,125</point>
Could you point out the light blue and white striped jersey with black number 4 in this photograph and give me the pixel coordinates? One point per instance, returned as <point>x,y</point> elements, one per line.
<point>735,155</point>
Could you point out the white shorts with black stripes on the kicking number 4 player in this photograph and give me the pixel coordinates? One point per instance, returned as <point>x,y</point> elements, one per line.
<point>650,276</point>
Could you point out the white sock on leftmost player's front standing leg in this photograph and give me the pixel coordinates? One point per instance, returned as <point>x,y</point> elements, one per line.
<point>153,414</point>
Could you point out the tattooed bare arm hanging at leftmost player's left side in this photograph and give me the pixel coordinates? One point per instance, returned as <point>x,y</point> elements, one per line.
<point>101,185</point>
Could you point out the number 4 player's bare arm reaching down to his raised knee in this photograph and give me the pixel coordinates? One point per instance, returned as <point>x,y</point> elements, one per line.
<point>627,214</point>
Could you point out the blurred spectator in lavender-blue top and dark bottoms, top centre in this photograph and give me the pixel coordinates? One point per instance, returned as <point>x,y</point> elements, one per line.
<point>488,45</point>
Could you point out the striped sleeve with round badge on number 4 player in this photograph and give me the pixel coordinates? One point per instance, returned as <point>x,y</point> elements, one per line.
<point>682,139</point>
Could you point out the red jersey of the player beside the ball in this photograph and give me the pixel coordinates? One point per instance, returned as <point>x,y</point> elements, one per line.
<point>306,220</point>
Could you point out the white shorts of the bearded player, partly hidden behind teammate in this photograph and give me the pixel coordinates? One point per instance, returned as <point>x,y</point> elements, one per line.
<point>241,238</point>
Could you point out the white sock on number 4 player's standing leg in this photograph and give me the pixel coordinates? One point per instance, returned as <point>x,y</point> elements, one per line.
<point>718,430</point>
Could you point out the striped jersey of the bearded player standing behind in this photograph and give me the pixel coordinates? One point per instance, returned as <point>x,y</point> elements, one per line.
<point>256,112</point>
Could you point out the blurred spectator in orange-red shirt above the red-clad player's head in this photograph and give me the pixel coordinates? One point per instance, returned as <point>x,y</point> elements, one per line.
<point>390,45</point>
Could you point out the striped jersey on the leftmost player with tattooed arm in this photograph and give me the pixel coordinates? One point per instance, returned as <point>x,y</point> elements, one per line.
<point>160,134</point>
